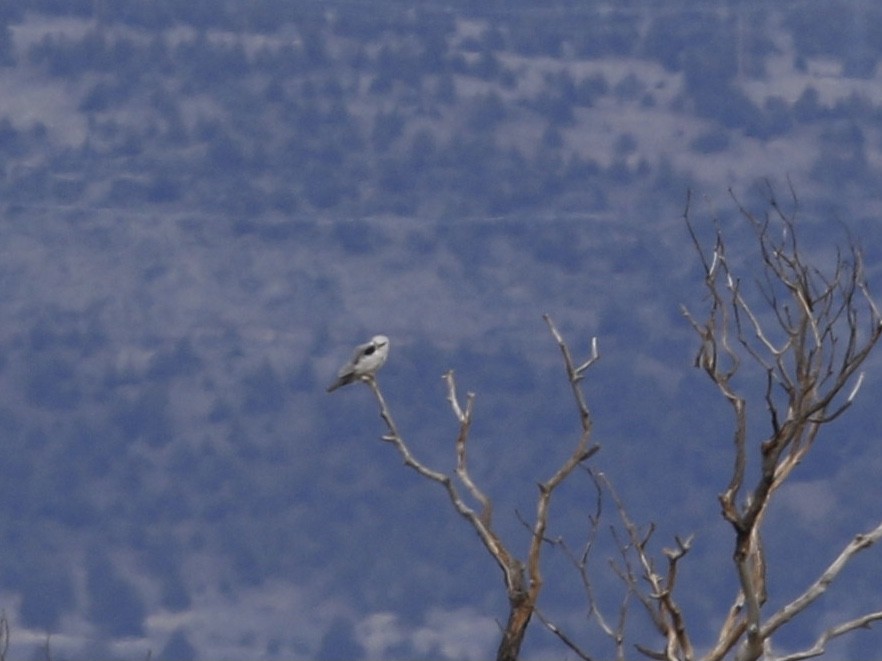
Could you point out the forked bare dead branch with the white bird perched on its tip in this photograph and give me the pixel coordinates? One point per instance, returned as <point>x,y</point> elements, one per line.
<point>522,576</point>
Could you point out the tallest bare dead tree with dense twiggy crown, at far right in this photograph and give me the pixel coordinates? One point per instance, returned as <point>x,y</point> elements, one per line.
<point>809,342</point>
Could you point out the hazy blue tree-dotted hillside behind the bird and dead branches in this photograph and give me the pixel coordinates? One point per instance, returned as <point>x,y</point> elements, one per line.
<point>205,205</point>
